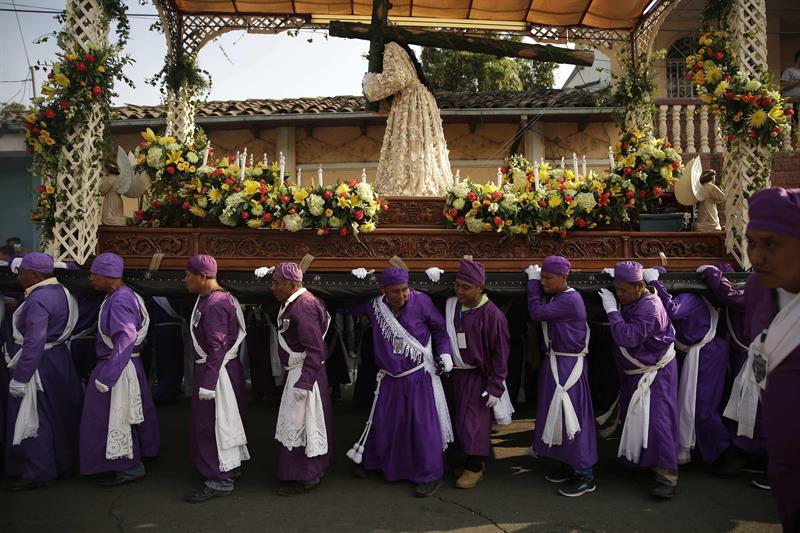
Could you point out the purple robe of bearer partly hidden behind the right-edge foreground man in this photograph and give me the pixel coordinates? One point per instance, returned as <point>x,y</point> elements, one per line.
<point>736,317</point>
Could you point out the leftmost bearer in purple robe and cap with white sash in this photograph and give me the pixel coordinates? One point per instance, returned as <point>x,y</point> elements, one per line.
<point>44,406</point>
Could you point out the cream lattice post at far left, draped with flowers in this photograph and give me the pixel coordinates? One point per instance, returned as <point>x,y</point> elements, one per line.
<point>79,169</point>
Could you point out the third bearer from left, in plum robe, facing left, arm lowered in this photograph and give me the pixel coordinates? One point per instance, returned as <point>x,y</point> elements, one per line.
<point>217,441</point>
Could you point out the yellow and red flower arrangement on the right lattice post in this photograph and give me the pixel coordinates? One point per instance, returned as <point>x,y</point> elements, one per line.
<point>748,108</point>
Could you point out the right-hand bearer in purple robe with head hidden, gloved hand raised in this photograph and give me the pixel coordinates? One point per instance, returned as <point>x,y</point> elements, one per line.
<point>702,374</point>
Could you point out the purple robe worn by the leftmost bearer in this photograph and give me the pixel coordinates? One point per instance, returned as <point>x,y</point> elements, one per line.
<point>55,450</point>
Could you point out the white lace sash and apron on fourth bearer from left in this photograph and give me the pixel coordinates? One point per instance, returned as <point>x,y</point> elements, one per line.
<point>301,423</point>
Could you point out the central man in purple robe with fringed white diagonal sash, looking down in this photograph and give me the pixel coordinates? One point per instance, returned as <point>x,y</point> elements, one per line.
<point>409,425</point>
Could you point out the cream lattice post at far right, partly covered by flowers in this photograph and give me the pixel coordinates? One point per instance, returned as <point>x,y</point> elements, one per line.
<point>746,167</point>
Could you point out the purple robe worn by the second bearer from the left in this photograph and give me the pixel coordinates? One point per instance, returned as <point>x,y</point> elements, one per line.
<point>120,320</point>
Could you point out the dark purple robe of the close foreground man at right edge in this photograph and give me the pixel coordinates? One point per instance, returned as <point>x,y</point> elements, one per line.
<point>781,402</point>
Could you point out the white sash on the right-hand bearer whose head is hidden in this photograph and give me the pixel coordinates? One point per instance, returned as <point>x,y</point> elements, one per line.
<point>687,387</point>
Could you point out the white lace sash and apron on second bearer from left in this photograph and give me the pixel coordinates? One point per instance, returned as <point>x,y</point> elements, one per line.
<point>125,408</point>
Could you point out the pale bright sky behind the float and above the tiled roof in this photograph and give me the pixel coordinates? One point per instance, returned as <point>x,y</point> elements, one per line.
<point>242,65</point>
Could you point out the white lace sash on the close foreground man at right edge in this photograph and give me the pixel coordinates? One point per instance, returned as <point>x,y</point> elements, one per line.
<point>765,353</point>
